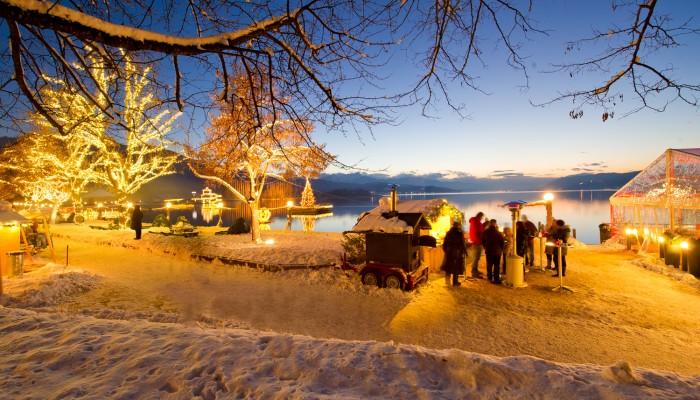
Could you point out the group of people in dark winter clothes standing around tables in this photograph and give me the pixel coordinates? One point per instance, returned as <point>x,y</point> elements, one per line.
<point>486,237</point>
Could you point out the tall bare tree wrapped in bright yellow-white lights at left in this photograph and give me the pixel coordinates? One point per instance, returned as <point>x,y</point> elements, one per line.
<point>122,153</point>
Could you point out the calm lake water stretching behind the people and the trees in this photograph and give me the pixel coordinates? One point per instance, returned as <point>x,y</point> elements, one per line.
<point>583,210</point>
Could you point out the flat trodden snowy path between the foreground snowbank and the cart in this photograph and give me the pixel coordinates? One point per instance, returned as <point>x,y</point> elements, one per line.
<point>619,311</point>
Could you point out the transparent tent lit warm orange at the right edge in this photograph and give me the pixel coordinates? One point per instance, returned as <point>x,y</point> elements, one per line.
<point>665,195</point>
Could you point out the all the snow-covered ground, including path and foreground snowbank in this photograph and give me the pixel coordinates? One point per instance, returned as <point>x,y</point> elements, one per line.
<point>143,319</point>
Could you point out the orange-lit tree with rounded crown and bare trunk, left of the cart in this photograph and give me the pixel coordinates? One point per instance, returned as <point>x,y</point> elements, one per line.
<point>251,140</point>
